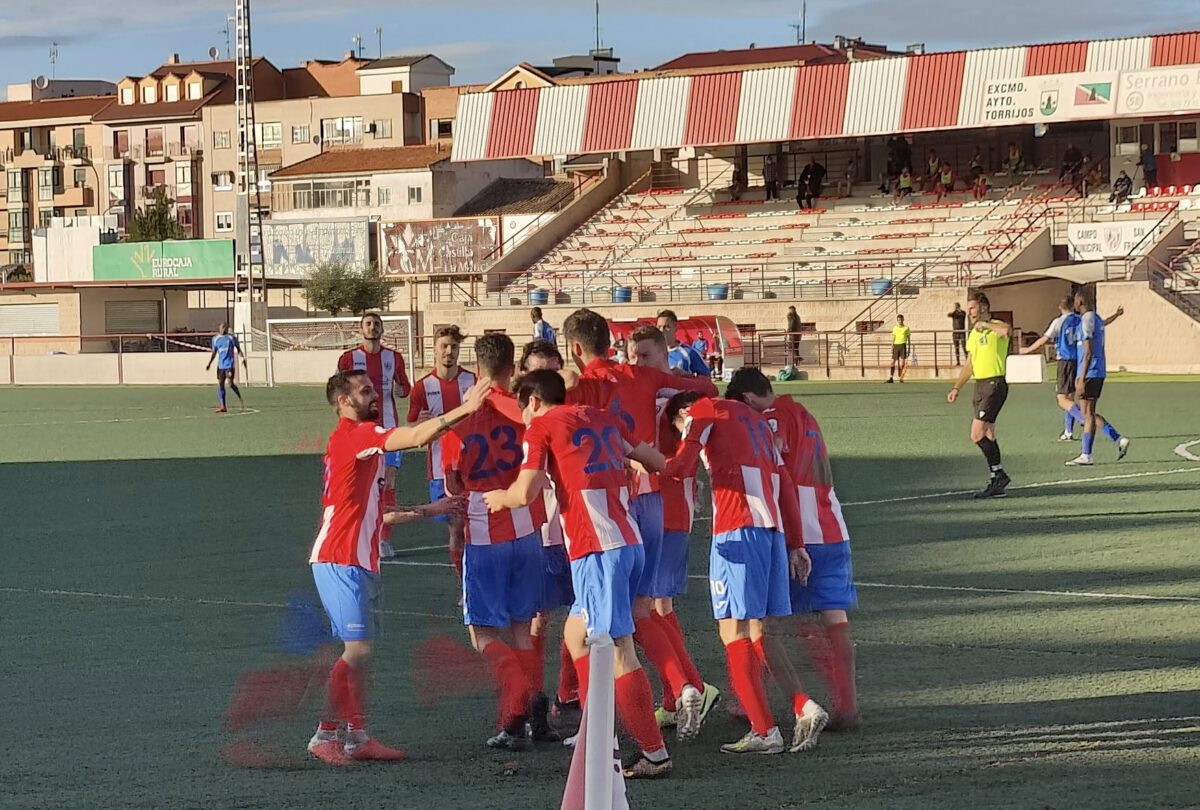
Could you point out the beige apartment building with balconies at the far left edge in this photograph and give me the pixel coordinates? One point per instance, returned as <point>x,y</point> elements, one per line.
<point>50,153</point>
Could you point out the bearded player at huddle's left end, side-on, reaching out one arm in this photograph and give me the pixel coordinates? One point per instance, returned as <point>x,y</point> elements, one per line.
<point>346,554</point>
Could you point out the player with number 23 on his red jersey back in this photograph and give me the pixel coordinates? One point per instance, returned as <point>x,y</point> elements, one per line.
<point>502,561</point>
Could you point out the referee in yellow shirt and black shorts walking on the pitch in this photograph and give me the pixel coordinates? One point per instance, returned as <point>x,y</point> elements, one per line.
<point>988,350</point>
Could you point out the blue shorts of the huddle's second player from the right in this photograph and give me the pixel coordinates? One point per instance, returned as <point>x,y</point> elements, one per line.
<point>748,575</point>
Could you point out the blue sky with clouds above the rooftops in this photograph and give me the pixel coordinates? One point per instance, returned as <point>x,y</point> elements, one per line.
<point>482,39</point>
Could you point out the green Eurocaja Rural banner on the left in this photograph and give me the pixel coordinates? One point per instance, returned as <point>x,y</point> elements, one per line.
<point>189,259</point>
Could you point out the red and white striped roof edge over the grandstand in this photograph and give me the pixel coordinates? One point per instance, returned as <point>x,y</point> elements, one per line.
<point>880,97</point>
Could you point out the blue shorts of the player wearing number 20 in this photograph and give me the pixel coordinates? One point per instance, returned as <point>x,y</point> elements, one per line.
<point>605,584</point>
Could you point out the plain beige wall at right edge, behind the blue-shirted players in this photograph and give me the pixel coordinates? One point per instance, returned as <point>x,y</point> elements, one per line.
<point>1154,337</point>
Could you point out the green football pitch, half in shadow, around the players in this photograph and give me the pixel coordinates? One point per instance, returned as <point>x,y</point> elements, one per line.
<point>1034,652</point>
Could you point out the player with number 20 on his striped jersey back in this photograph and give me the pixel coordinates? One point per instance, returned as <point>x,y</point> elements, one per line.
<point>584,451</point>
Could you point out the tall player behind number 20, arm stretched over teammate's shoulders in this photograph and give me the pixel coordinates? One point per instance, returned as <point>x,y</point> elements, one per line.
<point>632,394</point>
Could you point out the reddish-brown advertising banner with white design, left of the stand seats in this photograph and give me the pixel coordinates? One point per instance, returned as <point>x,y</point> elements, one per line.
<point>440,248</point>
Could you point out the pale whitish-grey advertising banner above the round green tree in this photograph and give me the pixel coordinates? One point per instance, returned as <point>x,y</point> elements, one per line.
<point>296,249</point>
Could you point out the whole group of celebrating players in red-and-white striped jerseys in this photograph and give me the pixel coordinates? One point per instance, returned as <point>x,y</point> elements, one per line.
<point>575,488</point>
